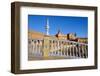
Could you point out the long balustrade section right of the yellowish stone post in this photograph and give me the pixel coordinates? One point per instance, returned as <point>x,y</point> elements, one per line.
<point>69,49</point>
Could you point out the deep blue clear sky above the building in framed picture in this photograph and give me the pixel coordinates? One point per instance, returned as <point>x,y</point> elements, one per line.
<point>66,24</point>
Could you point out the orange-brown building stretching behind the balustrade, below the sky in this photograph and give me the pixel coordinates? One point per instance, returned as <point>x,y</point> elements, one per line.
<point>70,36</point>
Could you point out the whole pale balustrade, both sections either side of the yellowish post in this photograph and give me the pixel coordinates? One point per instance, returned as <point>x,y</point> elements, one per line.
<point>58,48</point>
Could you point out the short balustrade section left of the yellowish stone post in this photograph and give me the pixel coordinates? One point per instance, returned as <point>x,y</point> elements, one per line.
<point>35,47</point>
